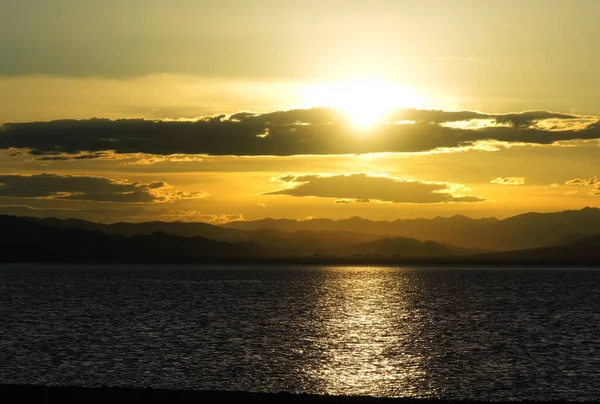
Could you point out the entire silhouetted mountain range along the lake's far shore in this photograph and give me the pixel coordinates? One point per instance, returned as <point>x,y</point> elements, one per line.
<point>561,237</point>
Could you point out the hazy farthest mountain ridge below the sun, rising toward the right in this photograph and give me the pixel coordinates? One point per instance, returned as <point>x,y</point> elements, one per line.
<point>530,230</point>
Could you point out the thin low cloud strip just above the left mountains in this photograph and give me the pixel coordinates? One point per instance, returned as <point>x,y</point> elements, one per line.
<point>110,215</point>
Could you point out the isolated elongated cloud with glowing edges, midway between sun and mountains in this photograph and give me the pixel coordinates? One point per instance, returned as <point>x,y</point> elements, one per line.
<point>362,187</point>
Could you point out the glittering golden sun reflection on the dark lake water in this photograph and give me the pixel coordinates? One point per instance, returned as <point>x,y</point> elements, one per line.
<point>364,334</point>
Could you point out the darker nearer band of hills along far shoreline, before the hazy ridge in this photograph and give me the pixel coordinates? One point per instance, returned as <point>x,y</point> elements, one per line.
<point>23,240</point>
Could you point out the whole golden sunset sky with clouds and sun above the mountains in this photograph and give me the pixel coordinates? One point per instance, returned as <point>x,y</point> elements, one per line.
<point>239,110</point>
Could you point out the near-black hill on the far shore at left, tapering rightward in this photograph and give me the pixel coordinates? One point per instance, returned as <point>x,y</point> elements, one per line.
<point>22,240</point>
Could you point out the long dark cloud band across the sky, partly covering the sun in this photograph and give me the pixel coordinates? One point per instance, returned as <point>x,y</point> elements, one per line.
<point>295,132</point>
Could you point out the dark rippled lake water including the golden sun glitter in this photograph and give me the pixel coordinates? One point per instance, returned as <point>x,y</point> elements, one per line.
<point>491,334</point>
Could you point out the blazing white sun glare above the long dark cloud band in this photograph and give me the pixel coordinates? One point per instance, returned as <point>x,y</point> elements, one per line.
<point>364,100</point>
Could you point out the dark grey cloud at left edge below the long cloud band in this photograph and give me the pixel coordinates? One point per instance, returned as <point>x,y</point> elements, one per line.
<point>89,188</point>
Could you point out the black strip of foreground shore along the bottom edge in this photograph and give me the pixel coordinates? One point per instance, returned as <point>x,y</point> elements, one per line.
<point>56,394</point>
